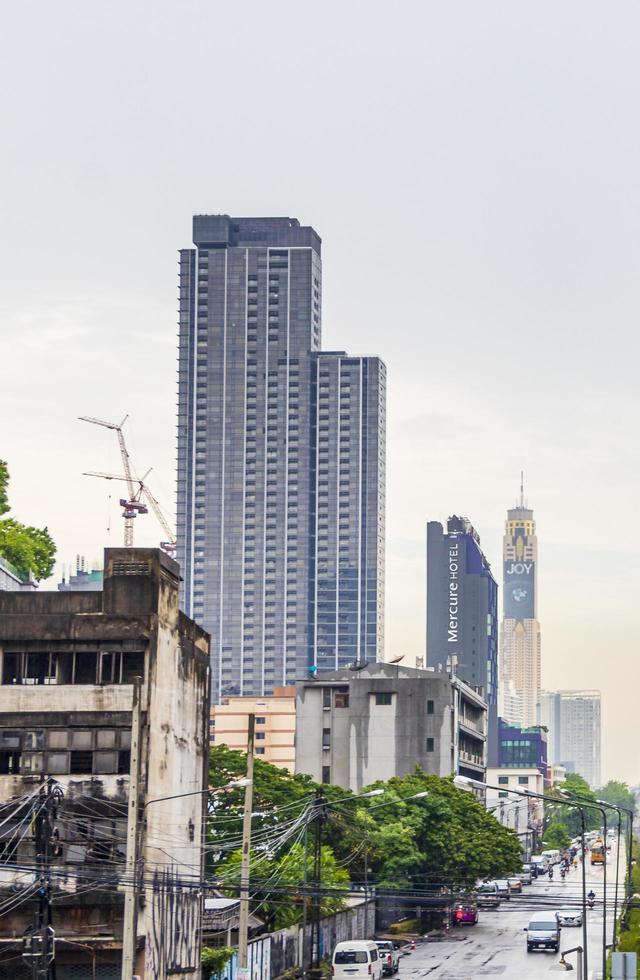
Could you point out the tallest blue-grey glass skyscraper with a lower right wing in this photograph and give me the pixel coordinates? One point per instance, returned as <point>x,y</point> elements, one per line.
<point>280,461</point>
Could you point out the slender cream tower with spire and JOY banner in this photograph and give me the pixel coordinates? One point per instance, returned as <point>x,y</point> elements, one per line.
<point>520,630</point>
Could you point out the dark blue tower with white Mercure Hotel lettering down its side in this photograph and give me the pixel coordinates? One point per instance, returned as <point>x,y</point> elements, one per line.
<point>462,611</point>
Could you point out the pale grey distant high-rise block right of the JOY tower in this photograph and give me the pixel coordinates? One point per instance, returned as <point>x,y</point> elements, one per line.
<point>573,719</point>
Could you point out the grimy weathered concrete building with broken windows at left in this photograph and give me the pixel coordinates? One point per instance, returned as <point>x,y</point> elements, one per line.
<point>67,666</point>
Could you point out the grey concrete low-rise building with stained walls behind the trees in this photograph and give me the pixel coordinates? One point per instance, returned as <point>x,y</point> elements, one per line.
<point>357,726</point>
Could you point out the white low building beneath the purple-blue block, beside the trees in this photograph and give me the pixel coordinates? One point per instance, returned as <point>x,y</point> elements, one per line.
<point>524,816</point>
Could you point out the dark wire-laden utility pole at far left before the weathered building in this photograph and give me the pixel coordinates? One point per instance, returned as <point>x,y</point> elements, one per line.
<point>39,941</point>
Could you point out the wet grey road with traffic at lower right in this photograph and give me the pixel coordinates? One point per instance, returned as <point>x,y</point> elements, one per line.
<point>496,946</point>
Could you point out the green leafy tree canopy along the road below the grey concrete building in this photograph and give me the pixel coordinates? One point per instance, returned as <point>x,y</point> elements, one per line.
<point>445,838</point>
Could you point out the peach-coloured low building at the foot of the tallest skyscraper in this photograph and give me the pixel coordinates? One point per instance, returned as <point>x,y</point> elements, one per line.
<point>275,725</point>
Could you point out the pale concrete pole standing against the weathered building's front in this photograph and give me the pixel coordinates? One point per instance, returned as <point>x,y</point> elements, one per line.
<point>130,930</point>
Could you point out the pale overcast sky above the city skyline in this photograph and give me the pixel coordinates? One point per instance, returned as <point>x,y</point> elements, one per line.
<point>472,169</point>
